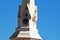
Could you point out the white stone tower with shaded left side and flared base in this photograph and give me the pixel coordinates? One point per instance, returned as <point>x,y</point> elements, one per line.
<point>27,17</point>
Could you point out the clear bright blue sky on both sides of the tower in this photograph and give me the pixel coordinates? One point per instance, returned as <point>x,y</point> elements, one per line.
<point>48,23</point>
